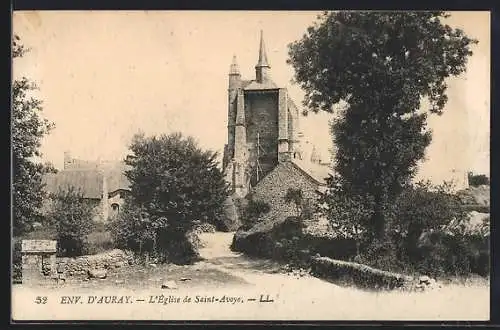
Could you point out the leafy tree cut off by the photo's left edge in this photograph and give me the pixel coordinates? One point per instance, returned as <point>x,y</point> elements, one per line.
<point>28,128</point>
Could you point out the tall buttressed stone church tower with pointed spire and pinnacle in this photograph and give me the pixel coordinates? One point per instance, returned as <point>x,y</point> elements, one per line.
<point>262,125</point>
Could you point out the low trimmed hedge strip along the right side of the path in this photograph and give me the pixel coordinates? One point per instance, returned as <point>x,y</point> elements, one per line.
<point>359,275</point>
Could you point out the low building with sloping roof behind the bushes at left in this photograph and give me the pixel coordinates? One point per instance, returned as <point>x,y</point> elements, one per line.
<point>103,183</point>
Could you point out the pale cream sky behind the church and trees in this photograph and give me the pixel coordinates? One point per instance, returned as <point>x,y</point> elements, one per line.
<point>105,75</point>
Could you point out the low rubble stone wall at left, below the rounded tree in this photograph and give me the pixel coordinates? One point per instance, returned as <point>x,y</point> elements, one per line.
<point>82,265</point>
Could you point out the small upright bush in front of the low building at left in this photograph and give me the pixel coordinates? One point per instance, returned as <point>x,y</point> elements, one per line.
<point>72,215</point>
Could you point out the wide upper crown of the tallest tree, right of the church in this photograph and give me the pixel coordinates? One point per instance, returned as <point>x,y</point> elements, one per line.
<point>345,54</point>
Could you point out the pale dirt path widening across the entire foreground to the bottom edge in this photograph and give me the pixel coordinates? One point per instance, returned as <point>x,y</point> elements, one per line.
<point>226,273</point>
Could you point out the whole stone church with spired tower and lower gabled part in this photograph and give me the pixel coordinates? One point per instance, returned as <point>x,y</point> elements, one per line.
<point>263,155</point>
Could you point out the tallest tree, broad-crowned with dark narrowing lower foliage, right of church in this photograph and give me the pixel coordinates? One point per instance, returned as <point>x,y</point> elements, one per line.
<point>380,65</point>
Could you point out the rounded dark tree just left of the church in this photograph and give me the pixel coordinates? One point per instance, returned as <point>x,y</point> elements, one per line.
<point>175,183</point>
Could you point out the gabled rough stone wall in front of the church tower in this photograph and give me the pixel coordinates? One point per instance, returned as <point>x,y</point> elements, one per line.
<point>272,189</point>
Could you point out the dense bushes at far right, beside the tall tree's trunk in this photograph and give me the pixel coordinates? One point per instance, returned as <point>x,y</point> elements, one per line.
<point>427,233</point>
